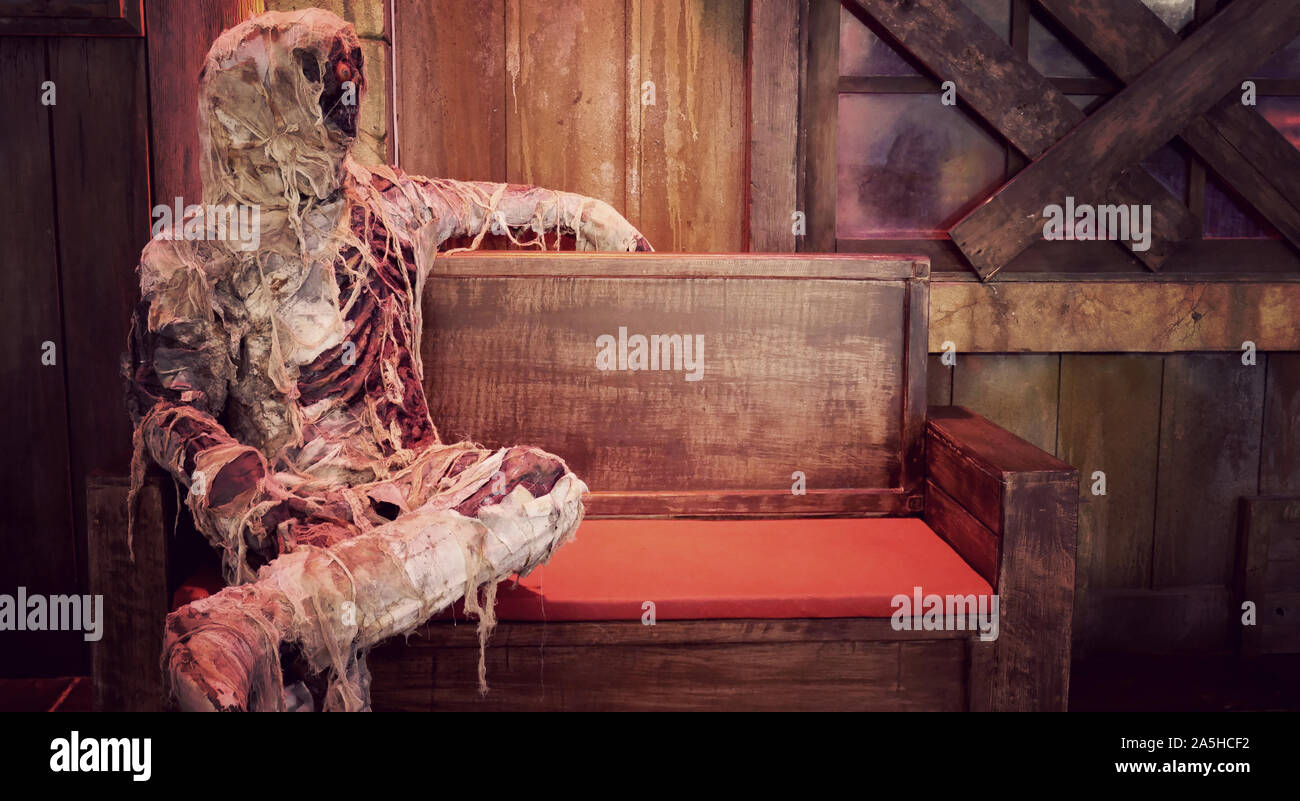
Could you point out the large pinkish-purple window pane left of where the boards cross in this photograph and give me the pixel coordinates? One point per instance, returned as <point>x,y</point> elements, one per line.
<point>911,164</point>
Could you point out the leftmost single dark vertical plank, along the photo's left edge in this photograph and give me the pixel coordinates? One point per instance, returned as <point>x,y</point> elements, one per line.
<point>37,535</point>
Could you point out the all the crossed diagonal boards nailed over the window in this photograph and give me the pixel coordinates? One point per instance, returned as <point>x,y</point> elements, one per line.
<point>1186,88</point>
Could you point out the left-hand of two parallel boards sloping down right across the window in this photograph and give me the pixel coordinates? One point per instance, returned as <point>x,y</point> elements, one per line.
<point>1021,105</point>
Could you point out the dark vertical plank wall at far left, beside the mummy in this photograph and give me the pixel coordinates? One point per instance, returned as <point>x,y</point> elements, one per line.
<point>81,214</point>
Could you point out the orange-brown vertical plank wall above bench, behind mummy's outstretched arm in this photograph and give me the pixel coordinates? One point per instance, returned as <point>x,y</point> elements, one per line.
<point>551,93</point>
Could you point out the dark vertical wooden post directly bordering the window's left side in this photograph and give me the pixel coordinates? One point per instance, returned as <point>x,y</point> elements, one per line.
<point>820,105</point>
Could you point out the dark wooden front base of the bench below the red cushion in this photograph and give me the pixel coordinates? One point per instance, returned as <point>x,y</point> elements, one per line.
<point>833,665</point>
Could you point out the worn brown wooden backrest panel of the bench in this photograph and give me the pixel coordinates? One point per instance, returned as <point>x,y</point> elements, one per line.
<point>799,375</point>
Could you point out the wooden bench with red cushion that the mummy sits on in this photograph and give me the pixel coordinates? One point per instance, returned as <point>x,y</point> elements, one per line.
<point>762,596</point>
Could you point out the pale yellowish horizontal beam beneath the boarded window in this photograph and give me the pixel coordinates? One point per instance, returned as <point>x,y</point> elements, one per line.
<point>1115,317</point>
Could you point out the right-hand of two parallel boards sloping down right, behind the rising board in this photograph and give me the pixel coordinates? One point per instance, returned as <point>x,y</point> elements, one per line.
<point>1234,141</point>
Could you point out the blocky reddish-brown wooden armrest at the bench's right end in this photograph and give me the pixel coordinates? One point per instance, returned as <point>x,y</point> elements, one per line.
<point>1011,510</point>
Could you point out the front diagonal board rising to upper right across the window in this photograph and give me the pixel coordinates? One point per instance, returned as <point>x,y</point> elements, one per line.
<point>1137,122</point>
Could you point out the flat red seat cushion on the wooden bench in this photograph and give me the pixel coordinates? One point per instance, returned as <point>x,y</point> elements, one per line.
<point>696,570</point>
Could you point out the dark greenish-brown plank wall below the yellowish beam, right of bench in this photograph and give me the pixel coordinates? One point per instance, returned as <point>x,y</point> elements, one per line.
<point>1181,438</point>
